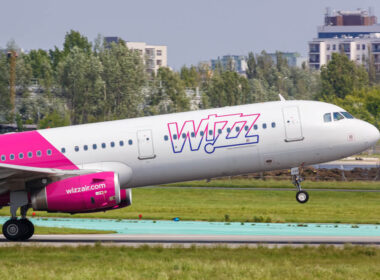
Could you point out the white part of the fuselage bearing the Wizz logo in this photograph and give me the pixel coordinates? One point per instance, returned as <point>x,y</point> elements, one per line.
<point>215,142</point>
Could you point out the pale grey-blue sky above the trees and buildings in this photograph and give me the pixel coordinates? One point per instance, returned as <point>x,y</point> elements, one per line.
<point>193,30</point>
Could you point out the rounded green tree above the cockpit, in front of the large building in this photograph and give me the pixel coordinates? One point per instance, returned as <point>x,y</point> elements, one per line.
<point>340,77</point>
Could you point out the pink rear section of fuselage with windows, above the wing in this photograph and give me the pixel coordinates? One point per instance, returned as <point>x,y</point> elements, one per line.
<point>32,149</point>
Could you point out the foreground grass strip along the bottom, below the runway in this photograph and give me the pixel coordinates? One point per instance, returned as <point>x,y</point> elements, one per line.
<point>98,262</point>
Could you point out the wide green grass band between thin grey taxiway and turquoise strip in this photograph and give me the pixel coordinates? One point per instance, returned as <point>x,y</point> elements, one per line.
<point>243,205</point>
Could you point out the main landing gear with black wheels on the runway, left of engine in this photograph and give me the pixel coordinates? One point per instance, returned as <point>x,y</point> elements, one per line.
<point>18,229</point>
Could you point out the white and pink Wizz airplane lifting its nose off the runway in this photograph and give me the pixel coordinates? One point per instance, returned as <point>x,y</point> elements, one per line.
<point>93,167</point>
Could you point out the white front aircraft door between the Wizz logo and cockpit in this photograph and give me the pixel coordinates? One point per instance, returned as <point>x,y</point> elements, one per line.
<point>292,122</point>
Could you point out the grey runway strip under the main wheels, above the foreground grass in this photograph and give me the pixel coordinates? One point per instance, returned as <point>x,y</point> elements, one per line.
<point>168,240</point>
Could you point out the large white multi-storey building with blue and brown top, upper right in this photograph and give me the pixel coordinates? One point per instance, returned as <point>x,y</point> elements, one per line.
<point>355,33</point>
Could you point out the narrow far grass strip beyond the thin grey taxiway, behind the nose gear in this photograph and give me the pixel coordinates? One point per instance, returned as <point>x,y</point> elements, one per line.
<point>251,183</point>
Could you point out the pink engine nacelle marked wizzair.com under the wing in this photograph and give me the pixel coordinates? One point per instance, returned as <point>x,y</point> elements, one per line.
<point>86,193</point>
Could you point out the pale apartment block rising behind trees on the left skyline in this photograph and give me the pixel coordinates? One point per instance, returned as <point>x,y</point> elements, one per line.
<point>154,56</point>
